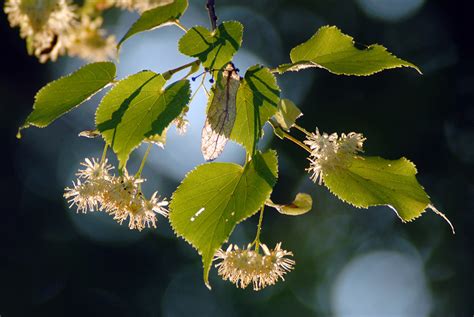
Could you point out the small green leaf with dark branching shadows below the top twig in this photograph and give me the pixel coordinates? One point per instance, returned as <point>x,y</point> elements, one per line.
<point>214,49</point>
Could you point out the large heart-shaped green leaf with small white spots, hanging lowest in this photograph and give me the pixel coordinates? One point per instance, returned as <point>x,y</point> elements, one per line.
<point>215,197</point>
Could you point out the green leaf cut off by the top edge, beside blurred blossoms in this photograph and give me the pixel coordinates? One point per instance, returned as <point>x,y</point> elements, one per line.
<point>156,17</point>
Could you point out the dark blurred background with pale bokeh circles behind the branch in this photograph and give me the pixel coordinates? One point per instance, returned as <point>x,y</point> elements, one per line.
<point>350,262</point>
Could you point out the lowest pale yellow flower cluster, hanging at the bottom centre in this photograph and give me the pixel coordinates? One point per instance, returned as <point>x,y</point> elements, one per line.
<point>245,266</point>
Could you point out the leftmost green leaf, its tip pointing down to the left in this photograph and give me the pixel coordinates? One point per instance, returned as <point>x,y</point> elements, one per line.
<point>62,95</point>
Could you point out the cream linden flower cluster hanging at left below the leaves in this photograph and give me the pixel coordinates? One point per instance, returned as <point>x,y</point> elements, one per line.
<point>120,196</point>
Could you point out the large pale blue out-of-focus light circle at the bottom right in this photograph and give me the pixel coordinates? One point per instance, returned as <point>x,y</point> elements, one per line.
<point>381,283</point>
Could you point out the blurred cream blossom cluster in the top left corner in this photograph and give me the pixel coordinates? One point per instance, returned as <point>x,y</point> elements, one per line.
<point>53,28</point>
